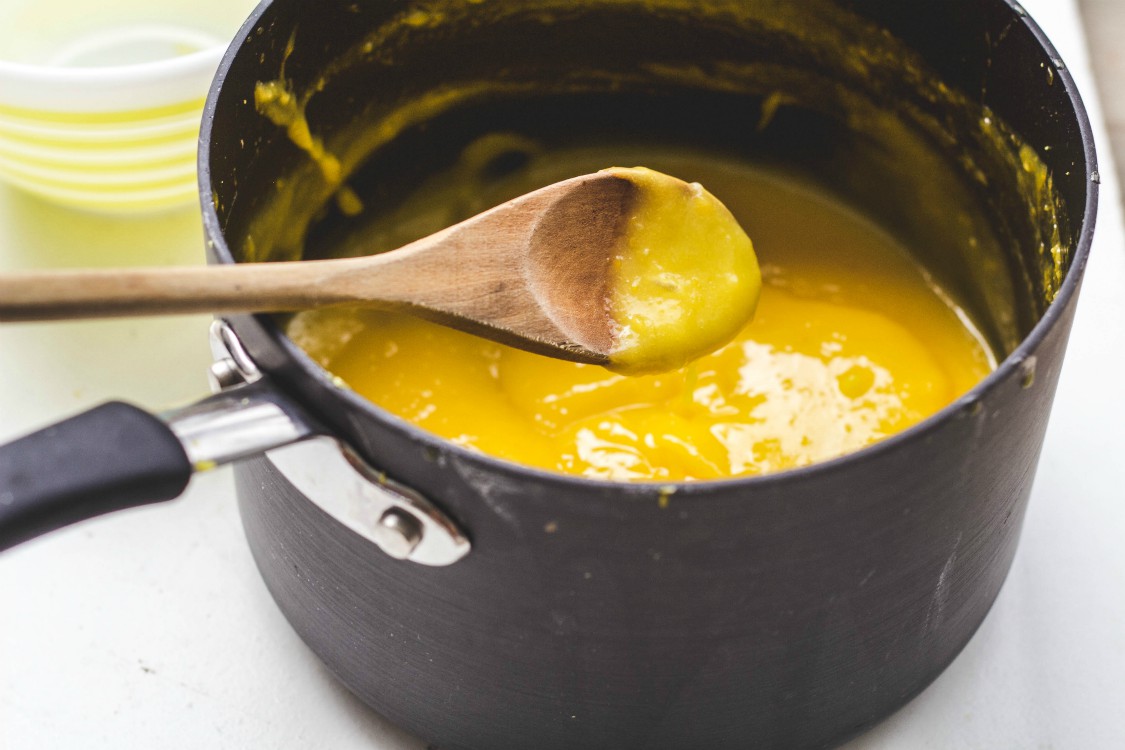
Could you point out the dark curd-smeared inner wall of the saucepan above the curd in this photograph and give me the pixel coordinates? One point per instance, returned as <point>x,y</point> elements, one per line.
<point>920,131</point>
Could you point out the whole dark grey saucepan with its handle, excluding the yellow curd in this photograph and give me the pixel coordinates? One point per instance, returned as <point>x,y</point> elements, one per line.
<point>482,604</point>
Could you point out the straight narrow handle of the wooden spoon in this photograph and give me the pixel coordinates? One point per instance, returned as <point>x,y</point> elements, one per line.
<point>118,293</point>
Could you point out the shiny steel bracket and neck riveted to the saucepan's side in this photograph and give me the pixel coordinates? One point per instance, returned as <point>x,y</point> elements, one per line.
<point>248,418</point>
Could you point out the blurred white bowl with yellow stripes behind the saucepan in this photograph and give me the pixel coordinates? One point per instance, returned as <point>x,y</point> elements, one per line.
<point>101,102</point>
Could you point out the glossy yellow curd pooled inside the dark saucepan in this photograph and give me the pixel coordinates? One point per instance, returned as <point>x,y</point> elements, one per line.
<point>851,342</point>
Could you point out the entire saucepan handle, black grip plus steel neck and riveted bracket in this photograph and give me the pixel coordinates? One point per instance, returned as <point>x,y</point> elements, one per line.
<point>118,457</point>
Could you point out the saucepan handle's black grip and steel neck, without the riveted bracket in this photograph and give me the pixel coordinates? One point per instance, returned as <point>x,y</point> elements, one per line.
<point>118,456</point>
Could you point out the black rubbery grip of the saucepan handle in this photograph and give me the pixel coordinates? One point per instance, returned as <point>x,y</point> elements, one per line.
<point>110,458</point>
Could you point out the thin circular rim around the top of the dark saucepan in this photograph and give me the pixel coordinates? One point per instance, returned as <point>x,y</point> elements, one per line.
<point>638,490</point>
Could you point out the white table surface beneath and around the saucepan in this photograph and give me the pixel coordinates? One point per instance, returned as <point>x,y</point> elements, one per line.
<point>151,629</point>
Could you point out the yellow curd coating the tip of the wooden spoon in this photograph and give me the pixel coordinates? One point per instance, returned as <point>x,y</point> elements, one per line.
<point>687,282</point>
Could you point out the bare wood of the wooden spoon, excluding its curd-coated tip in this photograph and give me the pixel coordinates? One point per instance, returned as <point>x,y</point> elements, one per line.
<point>535,274</point>
